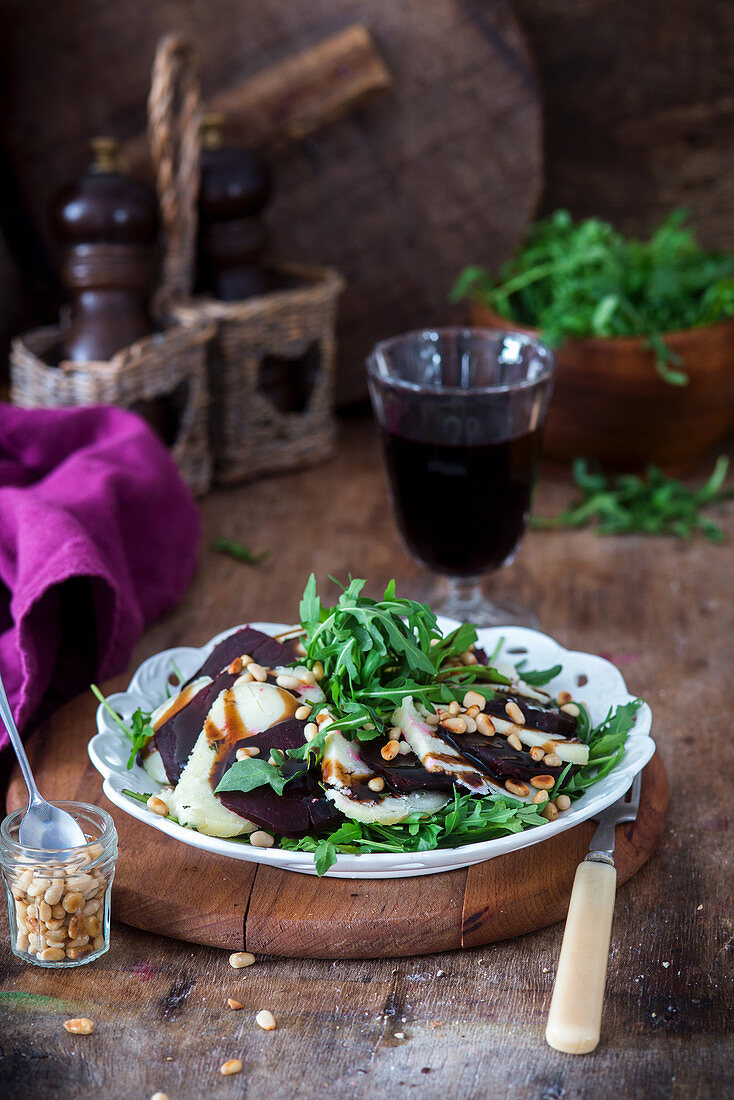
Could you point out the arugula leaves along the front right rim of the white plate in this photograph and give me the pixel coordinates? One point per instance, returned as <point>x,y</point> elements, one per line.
<point>468,819</point>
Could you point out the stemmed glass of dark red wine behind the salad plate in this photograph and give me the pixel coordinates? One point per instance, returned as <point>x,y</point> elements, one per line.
<point>462,415</point>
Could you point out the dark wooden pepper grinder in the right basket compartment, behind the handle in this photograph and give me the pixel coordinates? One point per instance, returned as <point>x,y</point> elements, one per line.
<point>234,192</point>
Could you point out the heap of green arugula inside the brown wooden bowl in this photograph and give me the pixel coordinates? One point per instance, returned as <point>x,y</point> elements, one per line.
<point>587,280</point>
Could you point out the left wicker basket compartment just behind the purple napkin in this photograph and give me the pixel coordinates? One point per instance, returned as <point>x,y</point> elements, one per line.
<point>170,366</point>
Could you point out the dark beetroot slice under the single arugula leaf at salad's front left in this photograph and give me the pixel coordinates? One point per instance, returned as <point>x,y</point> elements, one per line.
<point>303,807</point>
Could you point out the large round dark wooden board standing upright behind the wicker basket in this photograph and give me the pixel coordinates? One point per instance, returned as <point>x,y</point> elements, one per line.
<point>398,197</point>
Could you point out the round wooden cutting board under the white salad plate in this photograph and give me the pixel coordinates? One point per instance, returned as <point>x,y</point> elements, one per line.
<point>166,887</point>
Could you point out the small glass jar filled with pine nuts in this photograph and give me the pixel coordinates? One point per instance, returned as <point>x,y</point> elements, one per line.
<point>60,901</point>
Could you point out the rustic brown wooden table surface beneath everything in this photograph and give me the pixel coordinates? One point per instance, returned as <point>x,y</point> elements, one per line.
<point>463,1025</point>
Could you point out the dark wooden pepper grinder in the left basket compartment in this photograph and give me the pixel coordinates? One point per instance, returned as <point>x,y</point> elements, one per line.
<point>106,223</point>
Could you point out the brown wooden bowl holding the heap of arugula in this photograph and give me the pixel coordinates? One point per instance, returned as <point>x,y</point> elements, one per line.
<point>610,404</point>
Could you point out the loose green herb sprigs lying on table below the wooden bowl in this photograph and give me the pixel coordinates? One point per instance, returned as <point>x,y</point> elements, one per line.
<point>652,505</point>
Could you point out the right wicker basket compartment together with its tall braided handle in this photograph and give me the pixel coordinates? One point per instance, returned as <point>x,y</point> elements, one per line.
<point>249,434</point>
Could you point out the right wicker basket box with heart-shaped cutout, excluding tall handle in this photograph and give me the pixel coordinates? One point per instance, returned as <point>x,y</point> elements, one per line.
<point>250,435</point>
